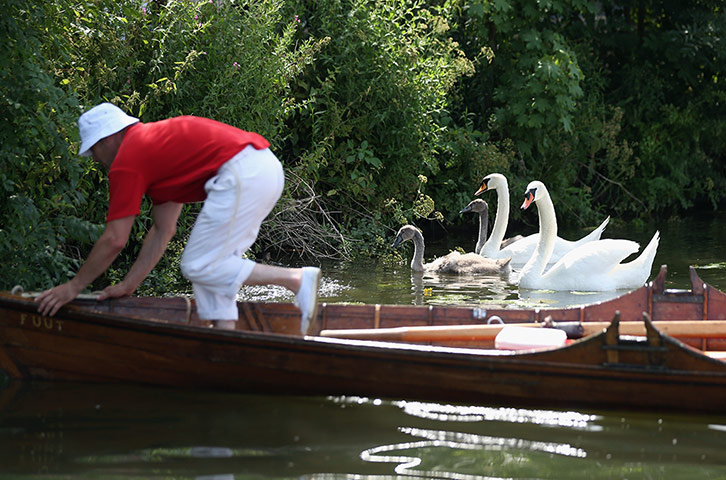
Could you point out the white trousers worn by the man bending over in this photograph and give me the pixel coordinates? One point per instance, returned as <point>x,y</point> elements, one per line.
<point>244,191</point>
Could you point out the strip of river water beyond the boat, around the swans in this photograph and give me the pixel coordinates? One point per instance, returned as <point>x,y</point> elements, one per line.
<point>700,243</point>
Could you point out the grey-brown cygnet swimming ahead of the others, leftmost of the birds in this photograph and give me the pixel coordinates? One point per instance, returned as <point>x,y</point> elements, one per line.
<point>453,262</point>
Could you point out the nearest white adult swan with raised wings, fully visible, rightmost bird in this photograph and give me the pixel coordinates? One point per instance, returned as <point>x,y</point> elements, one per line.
<point>594,266</point>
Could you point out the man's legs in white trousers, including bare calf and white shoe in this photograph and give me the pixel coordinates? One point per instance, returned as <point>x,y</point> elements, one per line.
<point>238,200</point>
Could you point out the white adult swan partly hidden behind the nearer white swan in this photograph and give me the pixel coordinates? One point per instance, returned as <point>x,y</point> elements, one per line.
<point>522,250</point>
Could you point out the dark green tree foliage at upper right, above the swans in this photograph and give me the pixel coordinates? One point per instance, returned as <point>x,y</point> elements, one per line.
<point>612,104</point>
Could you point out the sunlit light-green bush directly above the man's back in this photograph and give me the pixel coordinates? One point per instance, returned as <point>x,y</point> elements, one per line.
<point>230,61</point>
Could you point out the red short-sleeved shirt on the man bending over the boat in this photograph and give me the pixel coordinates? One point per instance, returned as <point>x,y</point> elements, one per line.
<point>171,160</point>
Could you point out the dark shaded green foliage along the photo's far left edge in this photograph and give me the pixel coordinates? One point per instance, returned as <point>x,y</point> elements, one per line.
<point>41,188</point>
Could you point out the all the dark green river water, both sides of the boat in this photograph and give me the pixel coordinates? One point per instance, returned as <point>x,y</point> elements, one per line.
<point>63,431</point>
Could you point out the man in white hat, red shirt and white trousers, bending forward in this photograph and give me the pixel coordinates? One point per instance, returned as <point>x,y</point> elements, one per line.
<point>177,161</point>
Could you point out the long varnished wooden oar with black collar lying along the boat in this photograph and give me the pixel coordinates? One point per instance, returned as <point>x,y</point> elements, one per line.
<point>460,333</point>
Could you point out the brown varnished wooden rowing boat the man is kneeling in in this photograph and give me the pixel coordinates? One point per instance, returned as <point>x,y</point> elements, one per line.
<point>160,341</point>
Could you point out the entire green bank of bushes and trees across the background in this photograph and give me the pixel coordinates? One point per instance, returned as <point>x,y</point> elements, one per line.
<point>383,113</point>
